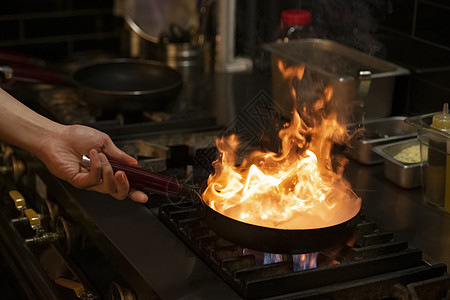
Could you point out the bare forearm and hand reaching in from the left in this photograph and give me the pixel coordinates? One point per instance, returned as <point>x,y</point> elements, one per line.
<point>60,148</point>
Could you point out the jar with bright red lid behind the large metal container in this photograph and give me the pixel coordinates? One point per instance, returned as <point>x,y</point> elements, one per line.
<point>295,24</point>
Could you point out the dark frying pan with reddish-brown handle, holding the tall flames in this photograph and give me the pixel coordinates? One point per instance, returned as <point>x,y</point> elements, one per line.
<point>265,239</point>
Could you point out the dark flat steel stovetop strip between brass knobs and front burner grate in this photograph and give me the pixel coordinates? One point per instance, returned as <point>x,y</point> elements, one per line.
<point>146,251</point>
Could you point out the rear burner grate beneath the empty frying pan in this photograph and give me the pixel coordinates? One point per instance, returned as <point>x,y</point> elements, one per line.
<point>64,105</point>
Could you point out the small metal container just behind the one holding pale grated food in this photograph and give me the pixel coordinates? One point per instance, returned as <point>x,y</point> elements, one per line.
<point>375,133</point>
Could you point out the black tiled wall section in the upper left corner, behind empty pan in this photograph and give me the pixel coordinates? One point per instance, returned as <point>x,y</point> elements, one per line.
<point>54,29</point>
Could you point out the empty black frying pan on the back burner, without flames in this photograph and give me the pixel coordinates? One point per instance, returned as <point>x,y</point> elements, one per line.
<point>120,84</point>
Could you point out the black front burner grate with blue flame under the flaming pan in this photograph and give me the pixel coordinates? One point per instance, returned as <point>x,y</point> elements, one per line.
<point>345,272</point>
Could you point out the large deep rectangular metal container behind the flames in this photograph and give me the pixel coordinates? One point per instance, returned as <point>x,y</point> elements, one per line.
<point>362,84</point>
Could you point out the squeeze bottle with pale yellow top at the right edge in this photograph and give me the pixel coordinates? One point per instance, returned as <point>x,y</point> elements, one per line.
<point>439,160</point>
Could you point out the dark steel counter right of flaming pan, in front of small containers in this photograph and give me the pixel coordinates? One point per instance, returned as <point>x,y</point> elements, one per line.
<point>403,212</point>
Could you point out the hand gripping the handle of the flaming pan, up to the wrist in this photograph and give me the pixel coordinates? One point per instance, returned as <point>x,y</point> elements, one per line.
<point>62,155</point>
